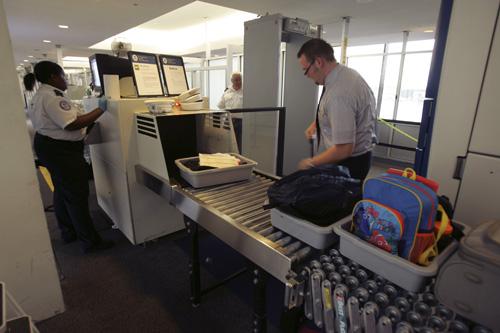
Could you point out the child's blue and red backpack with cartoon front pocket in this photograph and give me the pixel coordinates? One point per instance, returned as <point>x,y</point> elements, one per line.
<point>397,214</point>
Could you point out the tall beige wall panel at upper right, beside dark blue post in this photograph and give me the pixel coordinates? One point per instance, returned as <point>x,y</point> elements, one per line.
<point>471,27</point>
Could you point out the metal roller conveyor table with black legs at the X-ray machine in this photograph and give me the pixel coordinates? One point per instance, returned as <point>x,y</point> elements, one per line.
<point>234,214</point>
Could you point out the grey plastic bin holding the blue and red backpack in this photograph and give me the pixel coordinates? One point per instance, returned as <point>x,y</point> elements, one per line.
<point>402,272</point>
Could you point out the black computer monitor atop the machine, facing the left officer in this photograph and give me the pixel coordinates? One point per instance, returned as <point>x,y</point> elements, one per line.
<point>105,64</point>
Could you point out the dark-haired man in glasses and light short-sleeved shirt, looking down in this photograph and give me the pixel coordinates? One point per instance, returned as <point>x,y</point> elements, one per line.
<point>345,119</point>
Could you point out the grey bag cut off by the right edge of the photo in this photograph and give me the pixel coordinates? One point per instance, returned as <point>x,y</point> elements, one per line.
<point>468,283</point>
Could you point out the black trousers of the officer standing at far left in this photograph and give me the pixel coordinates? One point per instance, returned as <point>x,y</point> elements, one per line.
<point>69,172</point>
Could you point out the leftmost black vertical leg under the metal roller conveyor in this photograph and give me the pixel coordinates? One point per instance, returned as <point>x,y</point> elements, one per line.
<point>194,263</point>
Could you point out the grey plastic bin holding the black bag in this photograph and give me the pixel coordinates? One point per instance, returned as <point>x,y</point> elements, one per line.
<point>319,237</point>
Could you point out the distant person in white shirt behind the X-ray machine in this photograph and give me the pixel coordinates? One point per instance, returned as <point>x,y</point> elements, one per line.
<point>233,99</point>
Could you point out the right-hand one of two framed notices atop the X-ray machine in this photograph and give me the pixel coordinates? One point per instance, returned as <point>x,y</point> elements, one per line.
<point>174,74</point>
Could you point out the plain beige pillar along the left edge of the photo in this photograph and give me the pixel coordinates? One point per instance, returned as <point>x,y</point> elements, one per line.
<point>26,259</point>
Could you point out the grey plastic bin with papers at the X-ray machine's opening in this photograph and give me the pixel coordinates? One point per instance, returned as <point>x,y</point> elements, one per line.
<point>205,176</point>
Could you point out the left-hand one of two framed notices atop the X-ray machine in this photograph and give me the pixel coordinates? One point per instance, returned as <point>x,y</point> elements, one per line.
<point>146,74</point>
